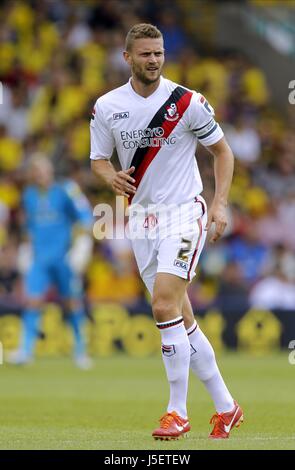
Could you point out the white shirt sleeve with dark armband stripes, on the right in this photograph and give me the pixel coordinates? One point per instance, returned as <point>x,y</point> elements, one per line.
<point>202,122</point>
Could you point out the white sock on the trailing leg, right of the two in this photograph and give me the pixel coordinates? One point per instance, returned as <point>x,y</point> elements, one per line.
<point>204,365</point>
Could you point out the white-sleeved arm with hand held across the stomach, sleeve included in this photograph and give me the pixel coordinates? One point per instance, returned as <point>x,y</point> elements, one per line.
<point>102,146</point>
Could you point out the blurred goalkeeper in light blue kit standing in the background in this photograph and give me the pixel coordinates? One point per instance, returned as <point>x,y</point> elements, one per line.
<point>52,211</point>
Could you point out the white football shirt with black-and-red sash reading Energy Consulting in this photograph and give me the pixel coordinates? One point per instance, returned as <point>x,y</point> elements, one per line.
<point>158,135</point>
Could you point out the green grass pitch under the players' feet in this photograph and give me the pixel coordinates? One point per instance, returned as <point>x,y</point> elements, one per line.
<point>52,405</point>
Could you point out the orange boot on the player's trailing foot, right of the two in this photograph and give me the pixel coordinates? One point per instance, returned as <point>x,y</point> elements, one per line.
<point>224,422</point>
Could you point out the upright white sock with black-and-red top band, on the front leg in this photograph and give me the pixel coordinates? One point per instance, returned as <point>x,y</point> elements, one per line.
<point>176,357</point>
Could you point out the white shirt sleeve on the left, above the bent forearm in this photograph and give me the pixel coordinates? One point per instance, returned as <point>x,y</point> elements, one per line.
<point>101,138</point>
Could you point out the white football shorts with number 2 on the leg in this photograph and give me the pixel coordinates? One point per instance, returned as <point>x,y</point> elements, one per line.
<point>168,239</point>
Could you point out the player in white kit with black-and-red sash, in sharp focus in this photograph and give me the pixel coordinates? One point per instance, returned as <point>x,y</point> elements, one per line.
<point>155,125</point>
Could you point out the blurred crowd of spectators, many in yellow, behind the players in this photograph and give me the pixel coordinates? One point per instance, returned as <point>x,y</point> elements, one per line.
<point>57,57</point>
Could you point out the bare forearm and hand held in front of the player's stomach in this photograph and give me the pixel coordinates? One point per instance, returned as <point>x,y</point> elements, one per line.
<point>120,181</point>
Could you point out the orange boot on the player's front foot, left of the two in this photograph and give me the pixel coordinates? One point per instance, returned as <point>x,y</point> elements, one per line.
<point>172,426</point>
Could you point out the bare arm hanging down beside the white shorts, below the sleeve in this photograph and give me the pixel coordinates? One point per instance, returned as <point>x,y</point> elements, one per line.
<point>223,172</point>
